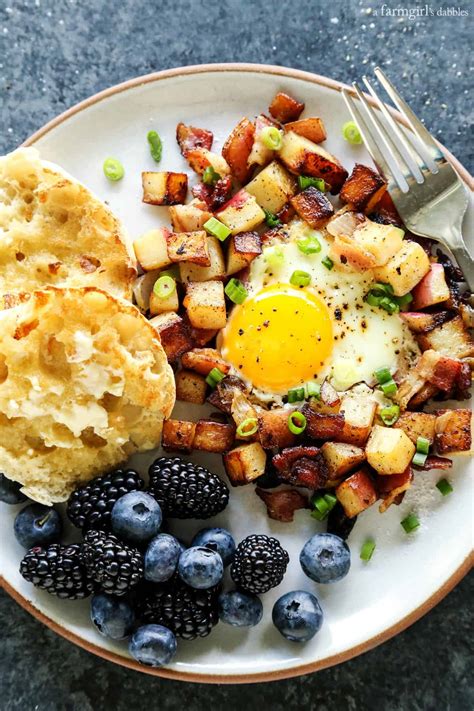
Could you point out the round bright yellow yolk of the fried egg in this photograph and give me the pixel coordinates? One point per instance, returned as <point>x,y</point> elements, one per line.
<point>278,338</point>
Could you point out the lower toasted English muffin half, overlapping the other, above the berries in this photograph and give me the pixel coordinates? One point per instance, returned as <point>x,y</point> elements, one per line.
<point>84,383</point>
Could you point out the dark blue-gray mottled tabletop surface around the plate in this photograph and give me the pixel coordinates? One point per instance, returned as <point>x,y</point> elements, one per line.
<point>55,53</point>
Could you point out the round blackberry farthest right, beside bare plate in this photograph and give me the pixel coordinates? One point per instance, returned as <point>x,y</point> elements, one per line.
<point>259,564</point>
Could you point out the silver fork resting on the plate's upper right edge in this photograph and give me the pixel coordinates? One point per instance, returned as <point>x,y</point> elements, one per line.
<point>428,193</point>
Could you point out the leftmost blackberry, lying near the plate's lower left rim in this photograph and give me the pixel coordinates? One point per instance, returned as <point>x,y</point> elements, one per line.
<point>57,569</point>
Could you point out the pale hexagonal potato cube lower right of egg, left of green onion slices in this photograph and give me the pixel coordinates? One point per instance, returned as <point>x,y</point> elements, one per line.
<point>388,450</point>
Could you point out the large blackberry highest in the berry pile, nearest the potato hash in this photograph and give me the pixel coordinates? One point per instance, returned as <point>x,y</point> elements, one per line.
<point>186,490</point>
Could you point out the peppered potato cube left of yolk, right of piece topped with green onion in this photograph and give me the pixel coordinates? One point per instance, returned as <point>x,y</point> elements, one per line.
<point>205,304</point>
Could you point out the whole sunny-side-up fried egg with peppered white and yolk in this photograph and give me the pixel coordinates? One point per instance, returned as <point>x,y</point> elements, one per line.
<point>283,336</point>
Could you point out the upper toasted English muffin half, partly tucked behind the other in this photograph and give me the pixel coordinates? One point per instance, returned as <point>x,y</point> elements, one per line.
<point>53,231</point>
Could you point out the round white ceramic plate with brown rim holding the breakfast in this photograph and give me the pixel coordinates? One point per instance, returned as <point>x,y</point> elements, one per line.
<point>407,574</point>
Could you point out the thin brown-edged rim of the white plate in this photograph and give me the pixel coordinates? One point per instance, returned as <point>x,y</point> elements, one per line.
<point>279,674</point>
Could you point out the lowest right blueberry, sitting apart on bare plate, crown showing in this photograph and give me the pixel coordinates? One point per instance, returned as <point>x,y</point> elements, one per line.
<point>297,615</point>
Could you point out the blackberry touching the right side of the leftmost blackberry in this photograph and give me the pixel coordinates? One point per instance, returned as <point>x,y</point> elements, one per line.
<point>114,566</point>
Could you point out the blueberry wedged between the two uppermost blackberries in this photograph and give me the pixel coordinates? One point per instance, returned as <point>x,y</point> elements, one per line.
<point>136,517</point>
